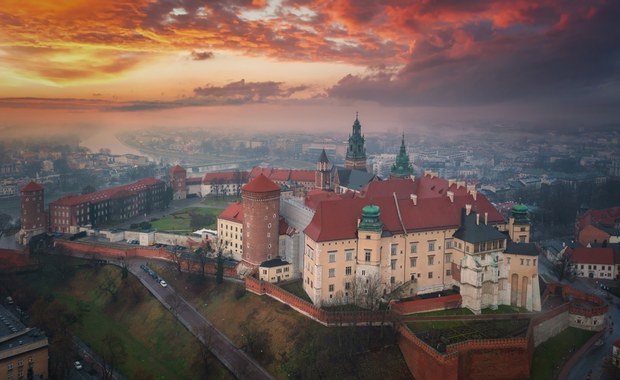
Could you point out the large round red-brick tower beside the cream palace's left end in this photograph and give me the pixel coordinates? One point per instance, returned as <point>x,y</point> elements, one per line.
<point>261,220</point>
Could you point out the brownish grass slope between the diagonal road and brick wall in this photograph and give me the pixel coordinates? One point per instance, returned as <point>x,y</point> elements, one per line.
<point>297,347</point>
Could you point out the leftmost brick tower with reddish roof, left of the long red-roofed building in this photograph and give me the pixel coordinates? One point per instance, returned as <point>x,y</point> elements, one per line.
<point>33,216</point>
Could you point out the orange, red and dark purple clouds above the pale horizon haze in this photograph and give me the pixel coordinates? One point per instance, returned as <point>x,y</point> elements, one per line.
<point>448,52</point>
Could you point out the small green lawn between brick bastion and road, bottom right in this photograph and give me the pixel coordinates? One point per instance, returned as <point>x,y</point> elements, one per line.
<point>556,350</point>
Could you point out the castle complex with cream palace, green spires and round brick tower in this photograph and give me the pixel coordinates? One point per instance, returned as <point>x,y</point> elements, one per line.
<point>355,238</point>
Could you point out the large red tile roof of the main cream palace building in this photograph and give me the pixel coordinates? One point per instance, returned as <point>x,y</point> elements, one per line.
<point>336,219</point>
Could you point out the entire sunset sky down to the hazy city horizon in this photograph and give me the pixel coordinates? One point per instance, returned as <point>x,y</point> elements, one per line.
<point>306,65</point>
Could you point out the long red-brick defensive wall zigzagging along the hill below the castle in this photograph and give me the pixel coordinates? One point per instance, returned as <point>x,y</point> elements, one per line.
<point>473,359</point>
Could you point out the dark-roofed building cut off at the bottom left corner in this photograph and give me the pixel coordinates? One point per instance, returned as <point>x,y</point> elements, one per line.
<point>23,350</point>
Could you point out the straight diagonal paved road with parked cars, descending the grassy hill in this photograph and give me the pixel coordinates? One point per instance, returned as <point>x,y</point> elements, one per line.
<point>241,365</point>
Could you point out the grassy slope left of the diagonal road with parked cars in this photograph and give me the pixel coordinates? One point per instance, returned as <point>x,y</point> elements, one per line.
<point>157,346</point>
